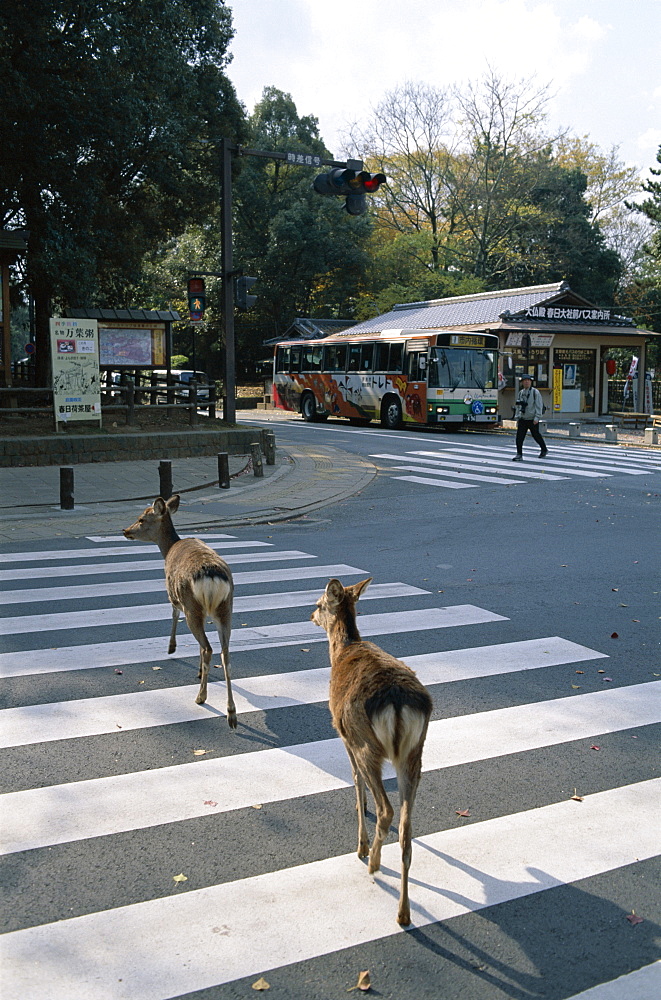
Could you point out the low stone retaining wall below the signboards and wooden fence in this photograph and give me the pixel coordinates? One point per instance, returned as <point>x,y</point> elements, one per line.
<point>75,449</point>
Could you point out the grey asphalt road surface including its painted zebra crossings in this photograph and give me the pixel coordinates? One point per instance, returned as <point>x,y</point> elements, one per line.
<point>152,853</point>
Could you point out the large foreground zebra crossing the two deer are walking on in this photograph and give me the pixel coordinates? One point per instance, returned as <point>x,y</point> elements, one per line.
<point>152,854</point>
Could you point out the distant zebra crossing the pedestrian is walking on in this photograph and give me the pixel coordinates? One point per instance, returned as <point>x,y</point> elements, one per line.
<point>472,465</point>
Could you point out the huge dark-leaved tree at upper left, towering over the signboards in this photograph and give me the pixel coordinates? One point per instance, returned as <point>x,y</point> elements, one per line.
<point>106,103</point>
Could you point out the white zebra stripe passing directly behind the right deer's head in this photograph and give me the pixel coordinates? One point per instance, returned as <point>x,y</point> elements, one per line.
<point>163,611</point>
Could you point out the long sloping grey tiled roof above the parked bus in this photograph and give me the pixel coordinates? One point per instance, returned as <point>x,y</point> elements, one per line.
<point>462,310</point>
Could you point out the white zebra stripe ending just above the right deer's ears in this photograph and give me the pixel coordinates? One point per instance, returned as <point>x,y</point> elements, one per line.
<point>120,587</point>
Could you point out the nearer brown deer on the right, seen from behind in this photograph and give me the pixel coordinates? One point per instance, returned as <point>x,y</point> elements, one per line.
<point>381,711</point>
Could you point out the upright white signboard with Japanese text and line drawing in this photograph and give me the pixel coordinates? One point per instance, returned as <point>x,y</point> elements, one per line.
<point>76,379</point>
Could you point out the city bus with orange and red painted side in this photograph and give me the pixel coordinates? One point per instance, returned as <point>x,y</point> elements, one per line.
<point>434,377</point>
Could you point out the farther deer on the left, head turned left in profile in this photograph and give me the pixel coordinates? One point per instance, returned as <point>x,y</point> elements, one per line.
<point>198,582</point>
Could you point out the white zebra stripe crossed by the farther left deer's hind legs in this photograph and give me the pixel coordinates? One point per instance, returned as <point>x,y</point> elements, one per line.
<point>94,716</point>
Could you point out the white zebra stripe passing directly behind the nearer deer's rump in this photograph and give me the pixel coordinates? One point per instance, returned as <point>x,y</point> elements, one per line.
<point>98,807</point>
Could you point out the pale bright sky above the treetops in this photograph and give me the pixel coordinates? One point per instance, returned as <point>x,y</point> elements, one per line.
<point>600,58</point>
